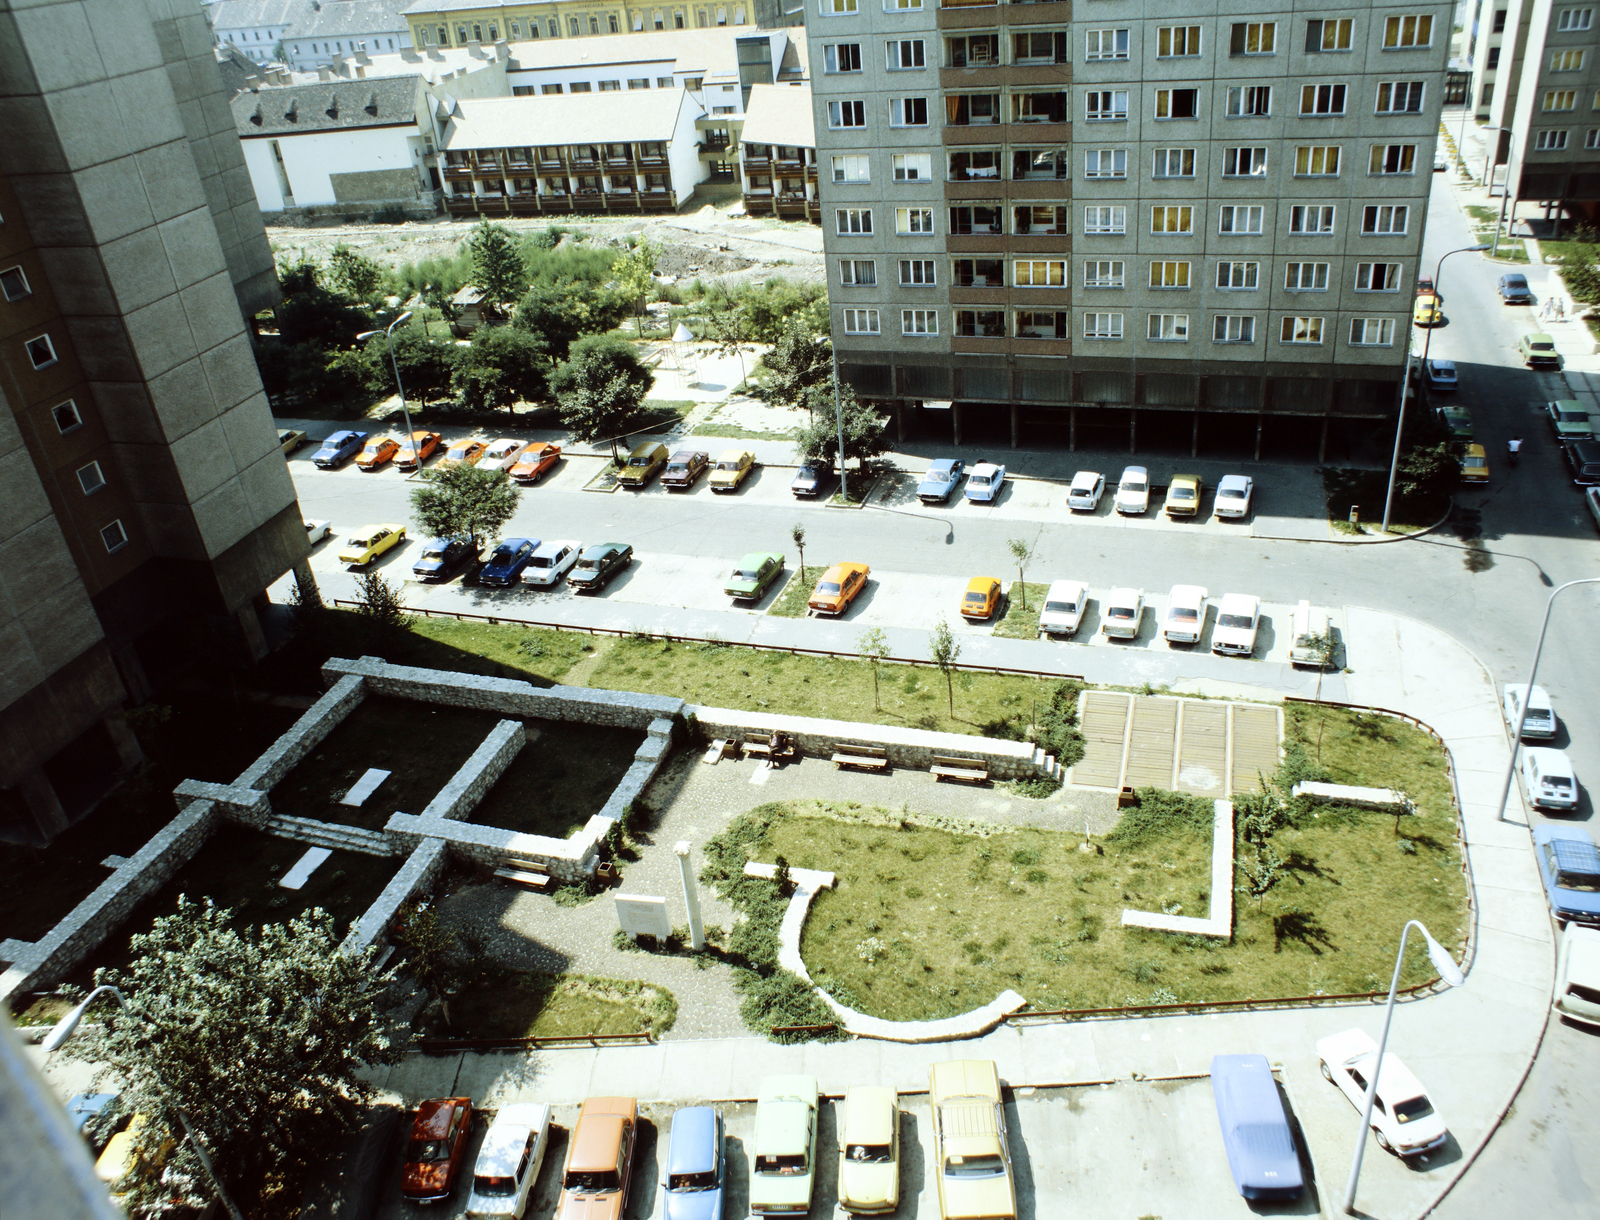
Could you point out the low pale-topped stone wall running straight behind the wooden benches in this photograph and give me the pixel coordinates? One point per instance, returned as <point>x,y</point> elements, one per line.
<point>911,748</point>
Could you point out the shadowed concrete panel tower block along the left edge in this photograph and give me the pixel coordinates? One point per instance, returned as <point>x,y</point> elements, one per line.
<point>145,505</point>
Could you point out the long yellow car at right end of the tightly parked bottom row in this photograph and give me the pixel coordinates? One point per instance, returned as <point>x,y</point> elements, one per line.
<point>970,1157</point>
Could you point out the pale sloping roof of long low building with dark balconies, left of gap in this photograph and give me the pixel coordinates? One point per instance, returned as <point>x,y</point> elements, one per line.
<point>566,119</point>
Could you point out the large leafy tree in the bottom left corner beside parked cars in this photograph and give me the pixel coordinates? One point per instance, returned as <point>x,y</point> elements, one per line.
<point>260,1037</point>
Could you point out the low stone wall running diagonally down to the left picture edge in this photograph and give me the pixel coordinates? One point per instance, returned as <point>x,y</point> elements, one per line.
<point>49,960</point>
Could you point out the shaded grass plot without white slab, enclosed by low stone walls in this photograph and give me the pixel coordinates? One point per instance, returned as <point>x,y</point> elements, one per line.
<point>559,781</point>
